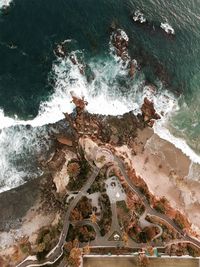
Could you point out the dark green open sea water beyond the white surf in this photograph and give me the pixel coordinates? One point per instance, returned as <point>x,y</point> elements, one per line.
<point>30,30</point>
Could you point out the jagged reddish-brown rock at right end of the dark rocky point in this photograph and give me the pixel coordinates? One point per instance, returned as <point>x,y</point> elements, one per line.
<point>148,111</point>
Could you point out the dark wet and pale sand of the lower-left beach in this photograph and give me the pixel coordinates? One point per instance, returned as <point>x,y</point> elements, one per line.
<point>21,215</point>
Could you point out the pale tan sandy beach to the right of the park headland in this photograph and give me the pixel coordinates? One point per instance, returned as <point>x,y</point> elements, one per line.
<point>165,169</point>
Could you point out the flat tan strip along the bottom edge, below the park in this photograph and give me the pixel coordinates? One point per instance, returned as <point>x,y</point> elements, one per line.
<point>132,262</point>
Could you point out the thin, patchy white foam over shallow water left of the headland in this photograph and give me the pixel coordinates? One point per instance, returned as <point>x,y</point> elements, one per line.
<point>20,148</point>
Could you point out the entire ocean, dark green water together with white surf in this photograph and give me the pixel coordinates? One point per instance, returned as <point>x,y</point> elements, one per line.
<point>35,85</point>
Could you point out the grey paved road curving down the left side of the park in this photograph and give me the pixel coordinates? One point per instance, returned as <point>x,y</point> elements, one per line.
<point>57,251</point>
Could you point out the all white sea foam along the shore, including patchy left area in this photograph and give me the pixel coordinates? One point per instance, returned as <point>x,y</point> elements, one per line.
<point>111,92</point>
